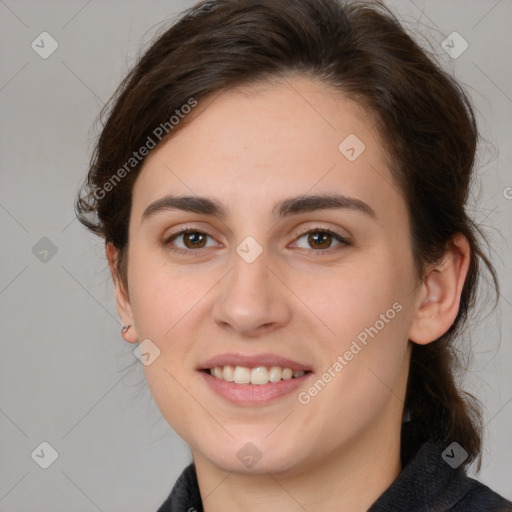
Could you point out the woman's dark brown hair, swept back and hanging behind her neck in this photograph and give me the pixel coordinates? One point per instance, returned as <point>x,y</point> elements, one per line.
<point>426,123</point>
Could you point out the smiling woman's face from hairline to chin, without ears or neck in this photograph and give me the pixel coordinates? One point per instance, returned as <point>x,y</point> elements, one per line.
<point>276,280</point>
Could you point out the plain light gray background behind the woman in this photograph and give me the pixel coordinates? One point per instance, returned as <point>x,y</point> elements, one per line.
<point>67,377</point>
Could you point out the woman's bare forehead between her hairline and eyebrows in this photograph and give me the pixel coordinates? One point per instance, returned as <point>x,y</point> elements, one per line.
<point>254,146</point>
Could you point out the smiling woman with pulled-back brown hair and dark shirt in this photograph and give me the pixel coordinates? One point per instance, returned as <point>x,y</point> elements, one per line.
<point>281,186</point>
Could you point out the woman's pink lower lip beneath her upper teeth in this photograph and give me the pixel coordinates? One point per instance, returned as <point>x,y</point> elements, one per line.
<point>253,394</point>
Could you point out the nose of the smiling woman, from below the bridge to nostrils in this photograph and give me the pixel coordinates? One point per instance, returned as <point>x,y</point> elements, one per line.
<point>253,300</point>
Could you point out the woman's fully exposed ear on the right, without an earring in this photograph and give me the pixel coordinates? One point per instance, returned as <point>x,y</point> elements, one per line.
<point>439,298</point>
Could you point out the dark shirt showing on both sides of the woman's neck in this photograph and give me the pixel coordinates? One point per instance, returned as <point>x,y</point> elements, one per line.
<point>427,483</point>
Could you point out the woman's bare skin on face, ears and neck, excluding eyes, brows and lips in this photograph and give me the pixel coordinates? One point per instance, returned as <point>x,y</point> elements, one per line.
<point>250,148</point>
